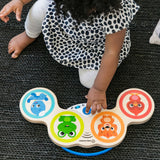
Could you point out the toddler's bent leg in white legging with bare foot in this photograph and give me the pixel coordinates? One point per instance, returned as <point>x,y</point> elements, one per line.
<point>33,25</point>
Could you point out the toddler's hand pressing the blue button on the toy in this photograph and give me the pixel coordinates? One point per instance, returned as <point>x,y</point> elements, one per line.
<point>96,99</point>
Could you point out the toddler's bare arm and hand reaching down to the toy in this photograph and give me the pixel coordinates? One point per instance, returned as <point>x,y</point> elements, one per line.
<point>97,94</point>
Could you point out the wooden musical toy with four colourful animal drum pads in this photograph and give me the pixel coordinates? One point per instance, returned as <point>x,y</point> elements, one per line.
<point>74,127</point>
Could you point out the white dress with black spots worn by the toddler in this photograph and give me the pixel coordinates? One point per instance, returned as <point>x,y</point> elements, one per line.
<point>83,46</point>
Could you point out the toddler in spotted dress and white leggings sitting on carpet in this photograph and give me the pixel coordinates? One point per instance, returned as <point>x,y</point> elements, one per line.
<point>91,35</point>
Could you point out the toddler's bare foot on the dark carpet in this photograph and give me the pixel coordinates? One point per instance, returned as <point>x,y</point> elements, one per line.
<point>18,43</point>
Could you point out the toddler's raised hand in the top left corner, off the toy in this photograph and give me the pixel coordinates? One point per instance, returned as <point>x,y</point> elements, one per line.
<point>15,6</point>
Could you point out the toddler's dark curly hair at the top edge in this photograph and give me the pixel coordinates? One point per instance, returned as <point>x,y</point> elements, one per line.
<point>82,10</point>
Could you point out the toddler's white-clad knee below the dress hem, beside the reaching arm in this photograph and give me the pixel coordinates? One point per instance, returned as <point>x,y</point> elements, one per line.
<point>87,77</point>
